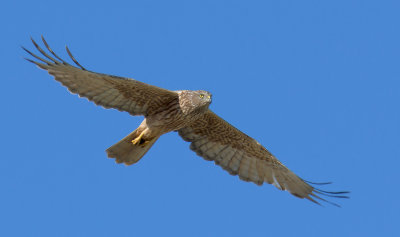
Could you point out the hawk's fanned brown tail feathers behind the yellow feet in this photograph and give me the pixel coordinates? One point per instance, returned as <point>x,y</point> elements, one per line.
<point>126,152</point>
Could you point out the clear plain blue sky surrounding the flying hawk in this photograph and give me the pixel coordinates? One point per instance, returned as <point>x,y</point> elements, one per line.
<point>316,82</point>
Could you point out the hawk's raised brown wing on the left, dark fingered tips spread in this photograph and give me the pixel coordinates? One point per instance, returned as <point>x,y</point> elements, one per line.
<point>120,93</point>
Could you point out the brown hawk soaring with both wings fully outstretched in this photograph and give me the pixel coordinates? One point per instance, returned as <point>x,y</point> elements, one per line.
<point>184,111</point>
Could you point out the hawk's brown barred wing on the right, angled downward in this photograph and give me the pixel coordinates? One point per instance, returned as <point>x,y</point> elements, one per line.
<point>215,139</point>
